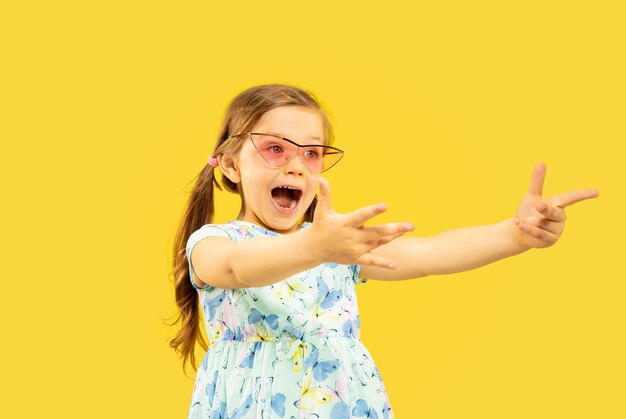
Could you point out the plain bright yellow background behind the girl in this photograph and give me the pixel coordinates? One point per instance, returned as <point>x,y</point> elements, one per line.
<point>110,109</point>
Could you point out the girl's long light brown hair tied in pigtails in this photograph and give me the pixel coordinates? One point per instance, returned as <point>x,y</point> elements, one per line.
<point>242,113</point>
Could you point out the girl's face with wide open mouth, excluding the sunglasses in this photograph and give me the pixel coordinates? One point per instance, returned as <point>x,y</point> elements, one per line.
<point>263,202</point>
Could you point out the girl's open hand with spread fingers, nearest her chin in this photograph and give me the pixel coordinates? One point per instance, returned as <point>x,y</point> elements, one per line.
<point>342,238</point>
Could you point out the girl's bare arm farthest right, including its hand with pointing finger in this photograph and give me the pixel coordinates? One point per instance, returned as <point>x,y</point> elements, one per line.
<point>538,223</point>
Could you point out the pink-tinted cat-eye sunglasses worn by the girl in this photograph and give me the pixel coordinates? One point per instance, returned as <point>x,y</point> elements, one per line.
<point>278,152</point>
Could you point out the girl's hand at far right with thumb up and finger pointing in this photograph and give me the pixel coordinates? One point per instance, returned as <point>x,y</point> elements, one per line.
<point>540,222</point>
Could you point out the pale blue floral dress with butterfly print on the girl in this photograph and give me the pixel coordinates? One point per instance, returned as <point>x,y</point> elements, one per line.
<point>288,350</point>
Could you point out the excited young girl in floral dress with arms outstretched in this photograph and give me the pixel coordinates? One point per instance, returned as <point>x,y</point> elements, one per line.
<point>277,284</point>
